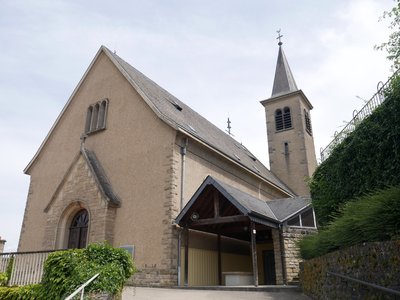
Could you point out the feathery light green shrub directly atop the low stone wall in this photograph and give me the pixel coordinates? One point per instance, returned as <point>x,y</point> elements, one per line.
<point>375,217</point>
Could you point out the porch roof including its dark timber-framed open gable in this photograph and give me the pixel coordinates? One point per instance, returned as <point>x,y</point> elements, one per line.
<point>235,204</point>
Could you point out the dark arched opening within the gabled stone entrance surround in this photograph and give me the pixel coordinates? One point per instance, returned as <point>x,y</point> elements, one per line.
<point>78,230</point>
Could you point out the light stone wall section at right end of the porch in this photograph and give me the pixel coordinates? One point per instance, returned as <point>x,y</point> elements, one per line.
<point>291,235</point>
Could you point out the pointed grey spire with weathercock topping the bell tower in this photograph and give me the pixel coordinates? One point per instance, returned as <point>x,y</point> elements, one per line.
<point>284,81</point>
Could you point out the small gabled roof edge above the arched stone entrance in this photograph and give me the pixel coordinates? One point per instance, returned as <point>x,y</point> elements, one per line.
<point>98,174</point>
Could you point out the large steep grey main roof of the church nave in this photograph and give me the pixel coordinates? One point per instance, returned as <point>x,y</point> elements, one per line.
<point>182,118</point>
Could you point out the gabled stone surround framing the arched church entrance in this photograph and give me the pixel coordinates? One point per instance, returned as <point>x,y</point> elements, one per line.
<point>78,190</point>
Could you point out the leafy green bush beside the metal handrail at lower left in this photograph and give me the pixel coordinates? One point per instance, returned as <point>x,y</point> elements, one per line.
<point>65,271</point>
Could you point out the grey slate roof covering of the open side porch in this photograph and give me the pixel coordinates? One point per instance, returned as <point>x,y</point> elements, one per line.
<point>270,213</point>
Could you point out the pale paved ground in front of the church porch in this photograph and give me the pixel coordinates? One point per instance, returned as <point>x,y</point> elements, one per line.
<point>142,293</point>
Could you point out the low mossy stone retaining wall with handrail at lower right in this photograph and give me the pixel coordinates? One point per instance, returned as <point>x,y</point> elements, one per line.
<point>377,263</point>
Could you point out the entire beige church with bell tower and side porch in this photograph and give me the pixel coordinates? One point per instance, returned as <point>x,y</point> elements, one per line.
<point>128,163</point>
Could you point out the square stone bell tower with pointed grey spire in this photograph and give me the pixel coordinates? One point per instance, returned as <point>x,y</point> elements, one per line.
<point>290,137</point>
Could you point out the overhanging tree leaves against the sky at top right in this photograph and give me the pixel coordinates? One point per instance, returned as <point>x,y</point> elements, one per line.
<point>392,46</point>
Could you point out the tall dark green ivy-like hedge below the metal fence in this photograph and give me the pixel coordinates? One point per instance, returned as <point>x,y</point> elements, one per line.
<point>367,160</point>
